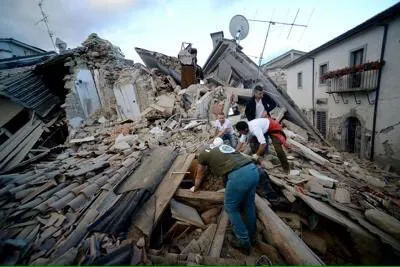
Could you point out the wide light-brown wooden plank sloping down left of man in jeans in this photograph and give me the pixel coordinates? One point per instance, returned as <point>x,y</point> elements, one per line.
<point>151,211</point>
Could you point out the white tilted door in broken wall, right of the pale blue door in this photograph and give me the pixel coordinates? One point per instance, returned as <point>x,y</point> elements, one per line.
<point>128,107</point>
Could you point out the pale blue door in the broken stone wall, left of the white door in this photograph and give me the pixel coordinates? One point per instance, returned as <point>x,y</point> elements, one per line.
<point>87,92</point>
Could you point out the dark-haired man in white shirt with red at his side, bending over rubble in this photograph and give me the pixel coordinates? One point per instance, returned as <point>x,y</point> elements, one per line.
<point>260,129</point>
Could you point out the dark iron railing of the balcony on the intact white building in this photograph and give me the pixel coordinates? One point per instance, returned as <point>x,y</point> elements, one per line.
<point>364,80</point>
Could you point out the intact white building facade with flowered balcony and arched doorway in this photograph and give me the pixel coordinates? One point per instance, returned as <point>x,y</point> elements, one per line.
<point>349,88</point>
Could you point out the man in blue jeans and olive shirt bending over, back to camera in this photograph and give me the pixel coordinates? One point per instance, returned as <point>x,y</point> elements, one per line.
<point>241,178</point>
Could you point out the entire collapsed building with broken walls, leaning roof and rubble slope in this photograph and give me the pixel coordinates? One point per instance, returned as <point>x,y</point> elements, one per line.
<point>116,192</point>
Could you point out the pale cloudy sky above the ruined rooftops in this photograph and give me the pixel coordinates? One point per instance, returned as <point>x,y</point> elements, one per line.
<point>162,25</point>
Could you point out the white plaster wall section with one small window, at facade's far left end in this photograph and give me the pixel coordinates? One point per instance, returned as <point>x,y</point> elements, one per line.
<point>302,97</point>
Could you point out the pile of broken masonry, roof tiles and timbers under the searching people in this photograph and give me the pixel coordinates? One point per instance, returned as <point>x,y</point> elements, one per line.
<point>117,194</point>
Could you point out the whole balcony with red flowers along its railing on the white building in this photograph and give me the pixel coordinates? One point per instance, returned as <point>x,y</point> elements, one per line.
<point>361,78</point>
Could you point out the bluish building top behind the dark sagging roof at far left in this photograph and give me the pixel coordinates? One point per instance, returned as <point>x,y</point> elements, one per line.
<point>12,48</point>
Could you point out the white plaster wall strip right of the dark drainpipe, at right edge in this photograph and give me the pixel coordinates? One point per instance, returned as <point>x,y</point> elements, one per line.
<point>387,142</point>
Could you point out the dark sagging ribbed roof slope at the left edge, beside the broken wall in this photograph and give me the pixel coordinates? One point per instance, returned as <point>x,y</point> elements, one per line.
<point>29,90</point>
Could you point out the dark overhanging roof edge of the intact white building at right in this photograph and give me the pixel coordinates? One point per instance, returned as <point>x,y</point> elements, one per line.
<point>374,21</point>
